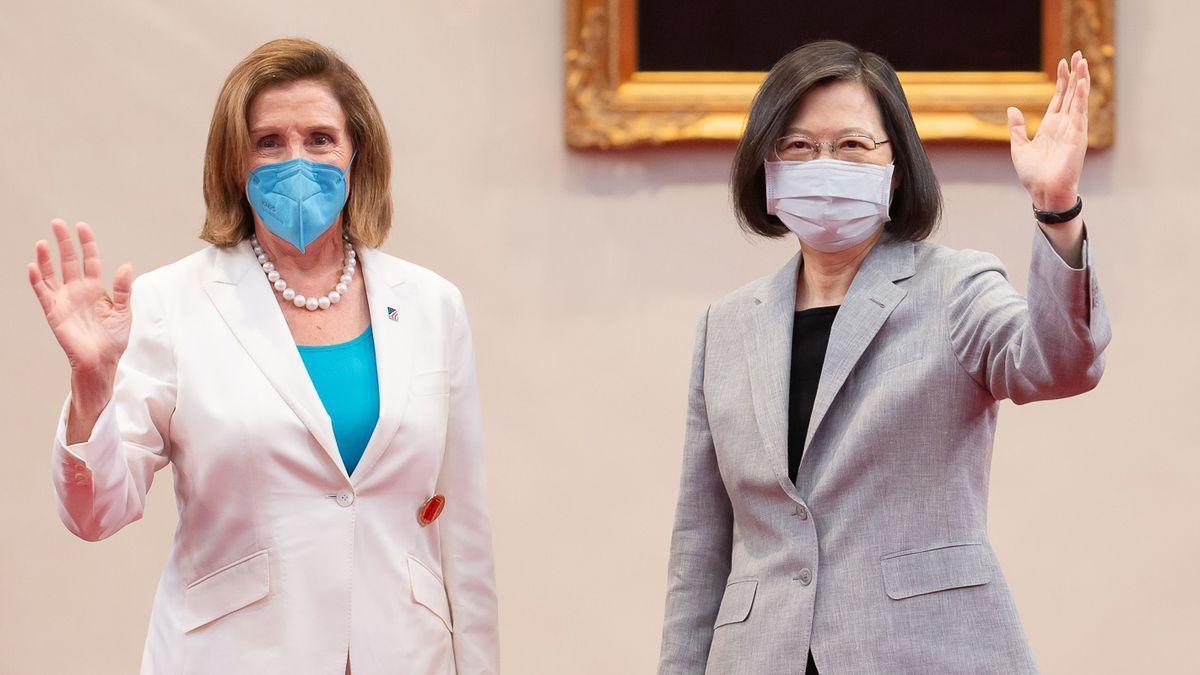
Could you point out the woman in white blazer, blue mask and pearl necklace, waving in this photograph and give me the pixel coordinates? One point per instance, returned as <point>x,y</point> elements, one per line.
<point>326,450</point>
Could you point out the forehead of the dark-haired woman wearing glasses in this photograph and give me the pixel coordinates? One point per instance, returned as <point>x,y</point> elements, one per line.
<point>836,107</point>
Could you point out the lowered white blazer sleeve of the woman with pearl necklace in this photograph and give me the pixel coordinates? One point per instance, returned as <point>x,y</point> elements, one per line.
<point>465,525</point>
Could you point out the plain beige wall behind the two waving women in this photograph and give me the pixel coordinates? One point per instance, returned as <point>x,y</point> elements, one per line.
<point>585,274</point>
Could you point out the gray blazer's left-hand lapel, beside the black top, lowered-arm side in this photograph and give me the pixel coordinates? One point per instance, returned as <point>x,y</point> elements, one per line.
<point>770,348</point>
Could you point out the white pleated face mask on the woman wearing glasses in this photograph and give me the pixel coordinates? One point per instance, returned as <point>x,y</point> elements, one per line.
<point>830,205</point>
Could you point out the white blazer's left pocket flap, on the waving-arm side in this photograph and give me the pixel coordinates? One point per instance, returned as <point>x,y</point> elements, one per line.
<point>226,590</point>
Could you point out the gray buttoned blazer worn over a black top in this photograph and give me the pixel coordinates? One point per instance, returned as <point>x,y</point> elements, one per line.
<point>878,560</point>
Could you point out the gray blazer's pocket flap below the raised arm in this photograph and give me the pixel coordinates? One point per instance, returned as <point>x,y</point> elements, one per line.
<point>935,569</point>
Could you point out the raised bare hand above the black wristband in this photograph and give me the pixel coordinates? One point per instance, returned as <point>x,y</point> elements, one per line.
<point>1049,166</point>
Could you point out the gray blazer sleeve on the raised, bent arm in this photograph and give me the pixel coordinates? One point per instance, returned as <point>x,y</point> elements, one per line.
<point>1048,347</point>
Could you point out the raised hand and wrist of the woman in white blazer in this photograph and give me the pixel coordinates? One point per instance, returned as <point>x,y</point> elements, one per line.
<point>92,326</point>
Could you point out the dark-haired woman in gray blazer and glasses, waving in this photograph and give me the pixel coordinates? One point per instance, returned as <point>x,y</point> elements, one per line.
<point>833,505</point>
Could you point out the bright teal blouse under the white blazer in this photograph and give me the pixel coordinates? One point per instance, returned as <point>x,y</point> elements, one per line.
<point>349,385</point>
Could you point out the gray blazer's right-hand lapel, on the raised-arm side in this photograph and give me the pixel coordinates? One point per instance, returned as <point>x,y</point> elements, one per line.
<point>871,300</point>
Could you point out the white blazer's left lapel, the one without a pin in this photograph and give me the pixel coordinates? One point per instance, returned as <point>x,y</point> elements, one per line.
<point>247,302</point>
